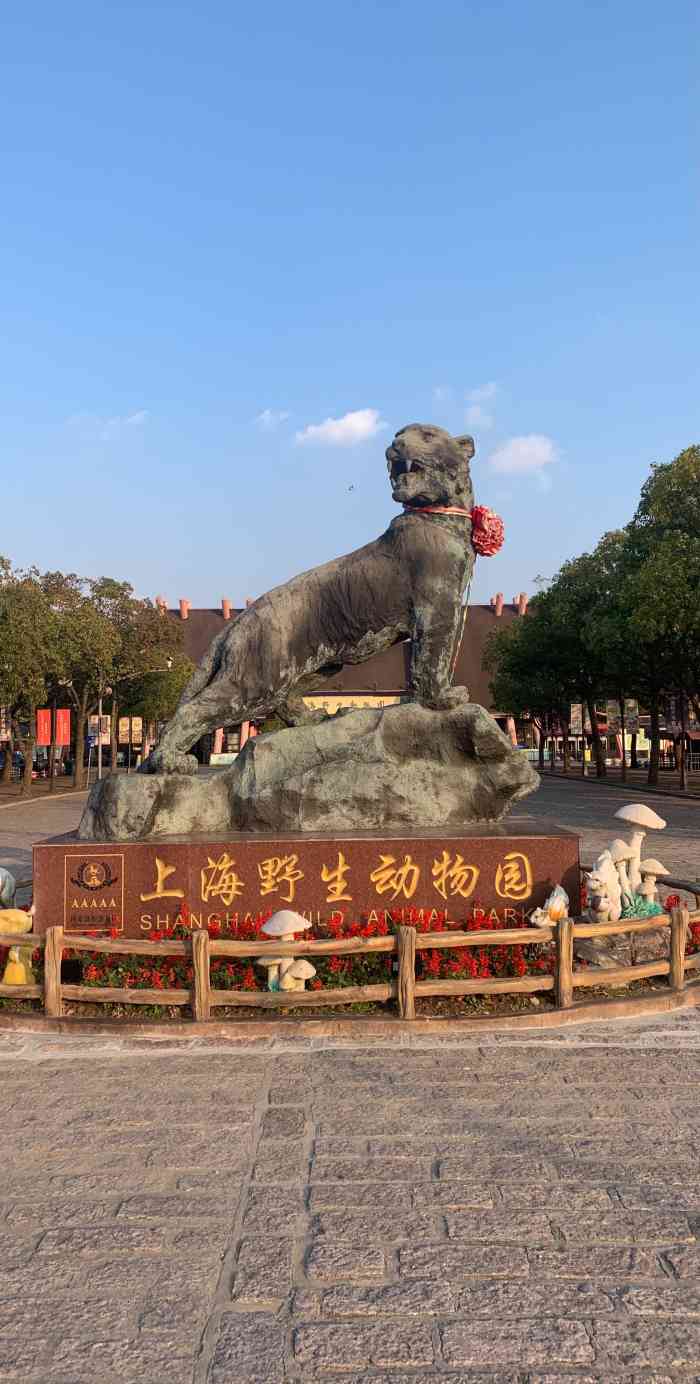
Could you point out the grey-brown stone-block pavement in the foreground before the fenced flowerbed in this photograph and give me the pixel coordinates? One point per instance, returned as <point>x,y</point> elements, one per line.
<point>519,1208</point>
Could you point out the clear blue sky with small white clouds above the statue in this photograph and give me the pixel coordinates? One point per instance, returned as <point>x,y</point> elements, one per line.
<point>228,225</point>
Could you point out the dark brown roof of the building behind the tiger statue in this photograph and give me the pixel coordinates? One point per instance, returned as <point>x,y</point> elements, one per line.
<point>388,673</point>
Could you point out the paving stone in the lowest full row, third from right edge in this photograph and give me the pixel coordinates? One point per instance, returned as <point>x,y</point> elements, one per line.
<point>324,1346</point>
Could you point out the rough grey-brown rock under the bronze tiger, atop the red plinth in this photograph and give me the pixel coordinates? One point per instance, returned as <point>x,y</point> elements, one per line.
<point>392,769</point>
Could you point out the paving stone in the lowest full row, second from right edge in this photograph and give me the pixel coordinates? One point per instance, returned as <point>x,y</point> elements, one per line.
<point>517,1343</point>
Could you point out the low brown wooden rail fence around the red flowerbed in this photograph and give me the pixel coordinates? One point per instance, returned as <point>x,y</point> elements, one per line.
<point>405,987</point>
